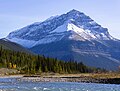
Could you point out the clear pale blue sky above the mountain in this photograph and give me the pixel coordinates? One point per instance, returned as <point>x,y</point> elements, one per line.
<point>15,14</point>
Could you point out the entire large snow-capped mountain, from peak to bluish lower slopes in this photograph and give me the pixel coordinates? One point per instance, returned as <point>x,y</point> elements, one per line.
<point>74,36</point>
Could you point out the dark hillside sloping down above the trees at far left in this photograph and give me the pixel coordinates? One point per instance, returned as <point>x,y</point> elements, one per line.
<point>6,44</point>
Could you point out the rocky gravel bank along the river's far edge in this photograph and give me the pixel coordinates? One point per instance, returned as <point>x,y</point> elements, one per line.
<point>69,79</point>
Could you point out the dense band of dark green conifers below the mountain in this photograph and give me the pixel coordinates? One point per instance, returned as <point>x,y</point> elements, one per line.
<point>32,64</point>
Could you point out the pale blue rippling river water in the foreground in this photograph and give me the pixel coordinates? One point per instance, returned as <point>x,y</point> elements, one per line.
<point>12,84</point>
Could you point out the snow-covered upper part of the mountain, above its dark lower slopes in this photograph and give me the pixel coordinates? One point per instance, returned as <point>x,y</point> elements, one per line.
<point>73,24</point>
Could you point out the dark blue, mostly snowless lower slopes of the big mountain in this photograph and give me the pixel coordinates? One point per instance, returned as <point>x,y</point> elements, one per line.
<point>96,55</point>
